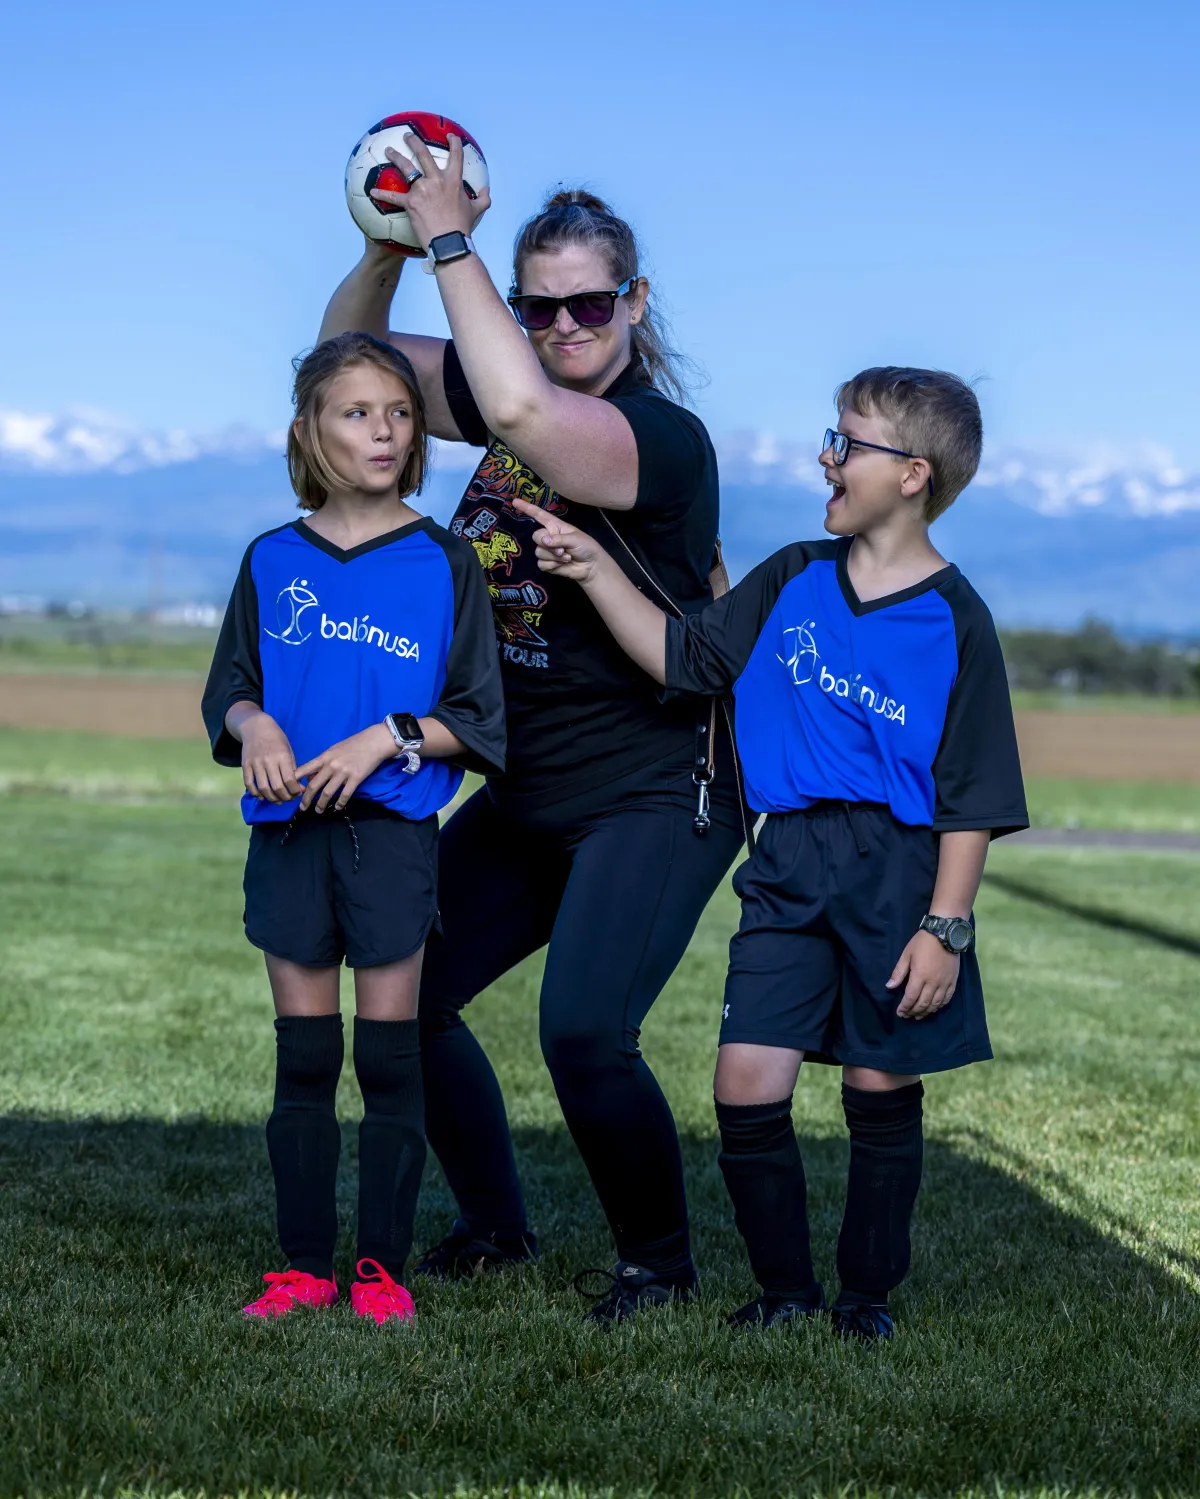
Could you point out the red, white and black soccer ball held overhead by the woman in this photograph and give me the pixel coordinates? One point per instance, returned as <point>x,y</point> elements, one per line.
<point>369,169</point>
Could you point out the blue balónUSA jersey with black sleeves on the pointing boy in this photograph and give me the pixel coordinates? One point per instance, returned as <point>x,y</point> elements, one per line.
<point>901,701</point>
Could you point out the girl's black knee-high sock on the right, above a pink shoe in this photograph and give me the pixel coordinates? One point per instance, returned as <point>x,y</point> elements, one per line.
<point>392,1138</point>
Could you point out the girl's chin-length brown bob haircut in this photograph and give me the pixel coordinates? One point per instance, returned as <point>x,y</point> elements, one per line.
<point>309,470</point>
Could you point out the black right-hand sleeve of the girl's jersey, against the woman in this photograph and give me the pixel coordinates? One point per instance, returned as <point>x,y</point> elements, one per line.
<point>473,701</point>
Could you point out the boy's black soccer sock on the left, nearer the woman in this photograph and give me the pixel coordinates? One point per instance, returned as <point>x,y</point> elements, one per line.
<point>765,1177</point>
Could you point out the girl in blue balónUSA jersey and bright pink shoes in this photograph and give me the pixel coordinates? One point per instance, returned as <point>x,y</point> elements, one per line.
<point>356,675</point>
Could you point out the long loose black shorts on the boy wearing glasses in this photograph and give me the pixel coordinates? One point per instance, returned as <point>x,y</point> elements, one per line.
<point>831,899</point>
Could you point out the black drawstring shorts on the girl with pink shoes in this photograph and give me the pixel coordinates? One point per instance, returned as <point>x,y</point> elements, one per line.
<point>359,885</point>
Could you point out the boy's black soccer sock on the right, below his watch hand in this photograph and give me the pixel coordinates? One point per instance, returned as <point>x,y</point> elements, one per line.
<point>886,1152</point>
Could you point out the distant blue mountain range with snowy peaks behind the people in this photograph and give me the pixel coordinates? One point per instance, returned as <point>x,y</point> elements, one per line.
<point>112,518</point>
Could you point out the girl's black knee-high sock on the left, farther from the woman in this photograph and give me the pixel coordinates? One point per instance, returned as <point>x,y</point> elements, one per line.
<point>303,1138</point>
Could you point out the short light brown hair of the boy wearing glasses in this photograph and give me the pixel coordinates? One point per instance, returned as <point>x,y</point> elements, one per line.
<point>931,414</point>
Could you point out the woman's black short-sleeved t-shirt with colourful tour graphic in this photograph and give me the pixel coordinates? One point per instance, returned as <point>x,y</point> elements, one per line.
<point>579,711</point>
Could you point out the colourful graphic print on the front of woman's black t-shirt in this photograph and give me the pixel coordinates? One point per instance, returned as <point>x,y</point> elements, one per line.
<point>485,519</point>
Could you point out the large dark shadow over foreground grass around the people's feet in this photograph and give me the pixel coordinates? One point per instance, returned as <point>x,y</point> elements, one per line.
<point>1034,1350</point>
